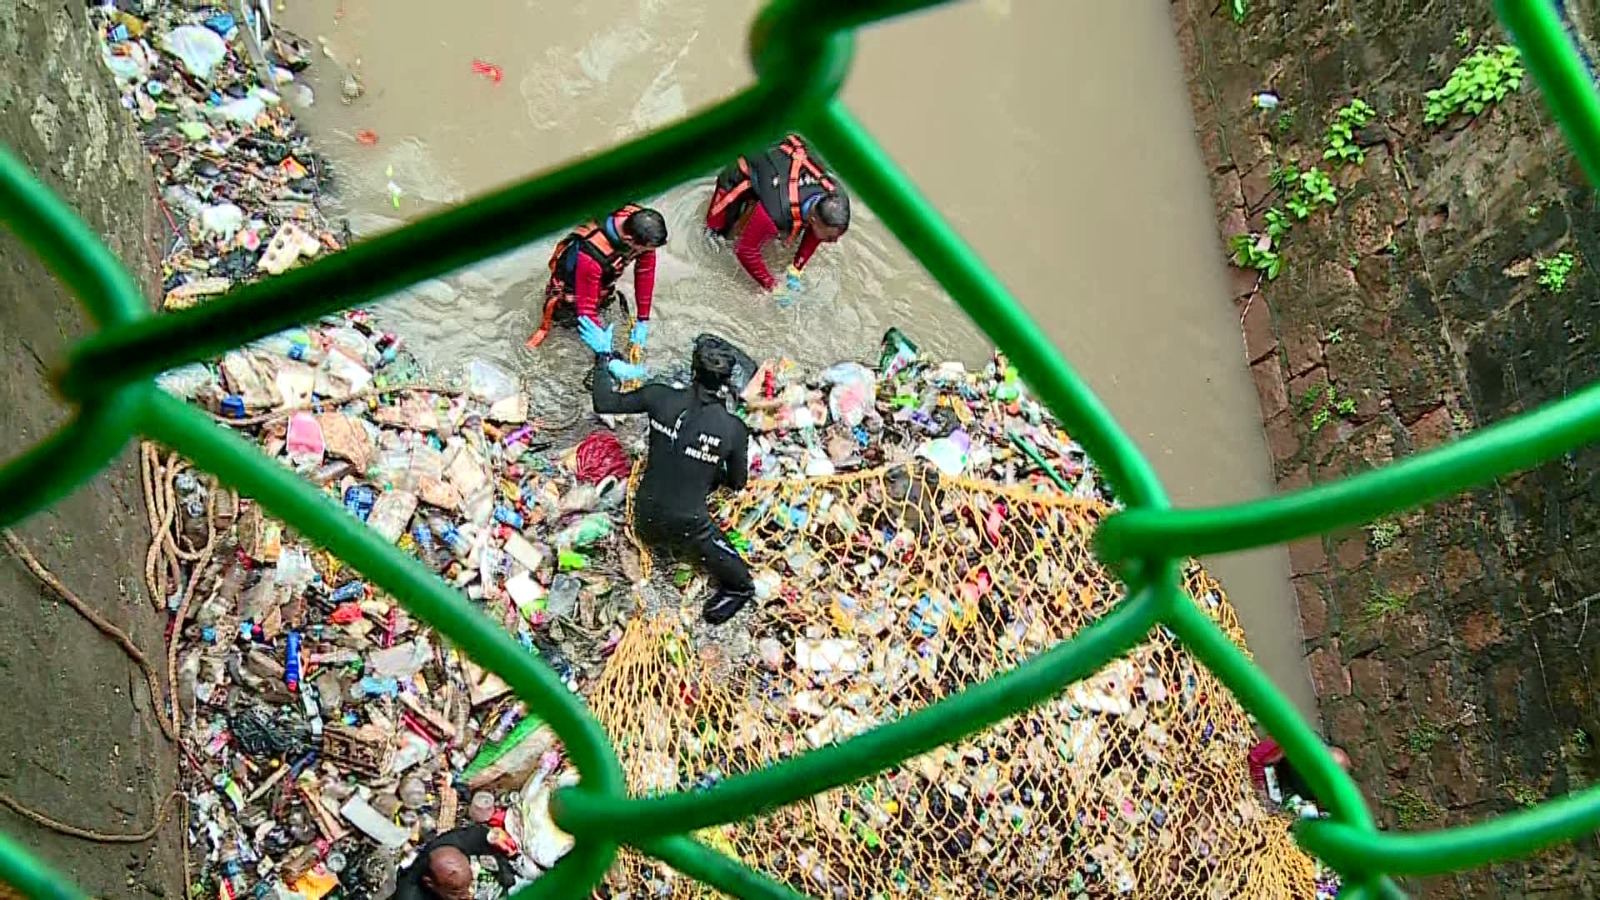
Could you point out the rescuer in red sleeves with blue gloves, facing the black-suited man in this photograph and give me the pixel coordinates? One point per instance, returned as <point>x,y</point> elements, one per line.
<point>588,263</point>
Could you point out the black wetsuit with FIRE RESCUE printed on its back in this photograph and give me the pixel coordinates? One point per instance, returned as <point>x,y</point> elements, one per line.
<point>695,443</point>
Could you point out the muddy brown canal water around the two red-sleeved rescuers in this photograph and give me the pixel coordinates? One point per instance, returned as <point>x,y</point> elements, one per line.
<point>1057,137</point>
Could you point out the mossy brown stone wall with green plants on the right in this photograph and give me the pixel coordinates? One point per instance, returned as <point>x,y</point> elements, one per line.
<point>1446,276</point>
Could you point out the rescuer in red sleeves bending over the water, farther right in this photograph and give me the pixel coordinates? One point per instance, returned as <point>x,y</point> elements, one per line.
<point>783,195</point>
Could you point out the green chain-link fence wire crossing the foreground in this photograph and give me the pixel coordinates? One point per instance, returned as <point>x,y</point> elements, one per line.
<point>801,50</point>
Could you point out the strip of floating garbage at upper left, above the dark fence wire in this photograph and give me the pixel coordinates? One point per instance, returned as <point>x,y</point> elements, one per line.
<point>239,182</point>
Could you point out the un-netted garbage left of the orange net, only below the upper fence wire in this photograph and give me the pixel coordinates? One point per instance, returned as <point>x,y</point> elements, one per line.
<point>327,733</point>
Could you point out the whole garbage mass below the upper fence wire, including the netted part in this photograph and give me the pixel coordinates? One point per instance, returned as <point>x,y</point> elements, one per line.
<point>329,736</point>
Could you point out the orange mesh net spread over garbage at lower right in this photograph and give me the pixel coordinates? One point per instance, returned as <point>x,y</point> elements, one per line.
<point>890,590</point>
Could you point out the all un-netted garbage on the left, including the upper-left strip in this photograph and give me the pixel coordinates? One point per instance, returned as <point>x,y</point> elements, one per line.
<point>326,734</point>
